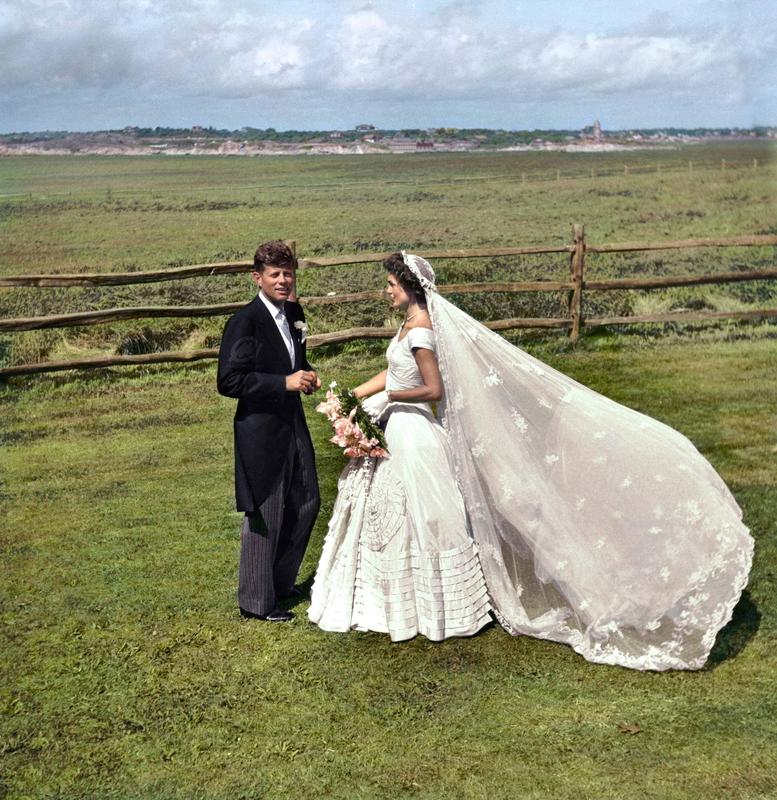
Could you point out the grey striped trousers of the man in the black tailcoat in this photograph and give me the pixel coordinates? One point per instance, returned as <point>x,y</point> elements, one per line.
<point>273,542</point>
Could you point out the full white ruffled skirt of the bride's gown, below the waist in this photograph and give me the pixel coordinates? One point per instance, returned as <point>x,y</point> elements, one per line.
<point>398,557</point>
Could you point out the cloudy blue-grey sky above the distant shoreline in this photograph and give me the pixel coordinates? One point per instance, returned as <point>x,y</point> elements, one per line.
<point>322,65</point>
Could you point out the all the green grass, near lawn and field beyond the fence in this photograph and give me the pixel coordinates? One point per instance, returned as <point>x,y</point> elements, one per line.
<point>127,671</point>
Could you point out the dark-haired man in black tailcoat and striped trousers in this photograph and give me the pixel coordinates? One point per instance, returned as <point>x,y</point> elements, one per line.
<point>263,363</point>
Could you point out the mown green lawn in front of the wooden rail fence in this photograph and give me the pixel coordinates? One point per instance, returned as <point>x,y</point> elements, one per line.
<point>128,672</point>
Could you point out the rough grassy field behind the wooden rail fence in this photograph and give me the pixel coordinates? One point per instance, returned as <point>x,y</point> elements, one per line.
<point>75,214</point>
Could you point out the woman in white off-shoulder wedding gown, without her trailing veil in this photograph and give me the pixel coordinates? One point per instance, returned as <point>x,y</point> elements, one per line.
<point>399,557</point>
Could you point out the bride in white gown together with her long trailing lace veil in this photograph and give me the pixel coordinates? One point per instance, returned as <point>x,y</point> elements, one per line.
<point>567,516</point>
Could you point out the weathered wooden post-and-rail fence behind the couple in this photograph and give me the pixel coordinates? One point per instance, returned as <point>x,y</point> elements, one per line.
<point>574,289</point>
